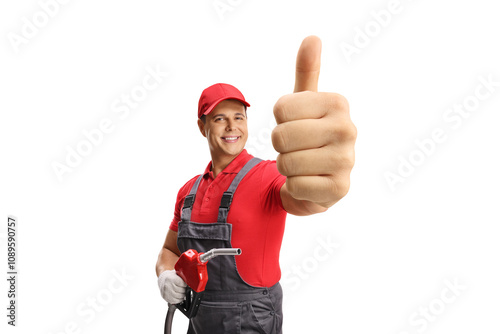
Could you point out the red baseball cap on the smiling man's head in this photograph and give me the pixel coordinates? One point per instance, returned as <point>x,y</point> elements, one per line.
<point>214,94</point>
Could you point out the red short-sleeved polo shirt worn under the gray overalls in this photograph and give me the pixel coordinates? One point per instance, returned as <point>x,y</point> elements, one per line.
<point>256,213</point>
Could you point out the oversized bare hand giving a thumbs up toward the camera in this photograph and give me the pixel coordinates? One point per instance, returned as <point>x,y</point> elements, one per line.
<point>314,137</point>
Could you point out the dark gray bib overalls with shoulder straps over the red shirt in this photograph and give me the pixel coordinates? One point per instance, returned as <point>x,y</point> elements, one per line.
<point>229,304</point>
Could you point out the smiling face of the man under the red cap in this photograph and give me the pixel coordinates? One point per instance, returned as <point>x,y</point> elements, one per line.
<point>225,129</point>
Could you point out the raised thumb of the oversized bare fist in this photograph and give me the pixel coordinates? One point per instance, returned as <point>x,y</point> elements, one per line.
<point>308,64</point>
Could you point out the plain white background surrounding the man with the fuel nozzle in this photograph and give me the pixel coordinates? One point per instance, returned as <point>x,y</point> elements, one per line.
<point>396,247</point>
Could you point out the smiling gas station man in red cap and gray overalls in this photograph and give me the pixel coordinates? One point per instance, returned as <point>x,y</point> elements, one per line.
<point>242,202</point>
